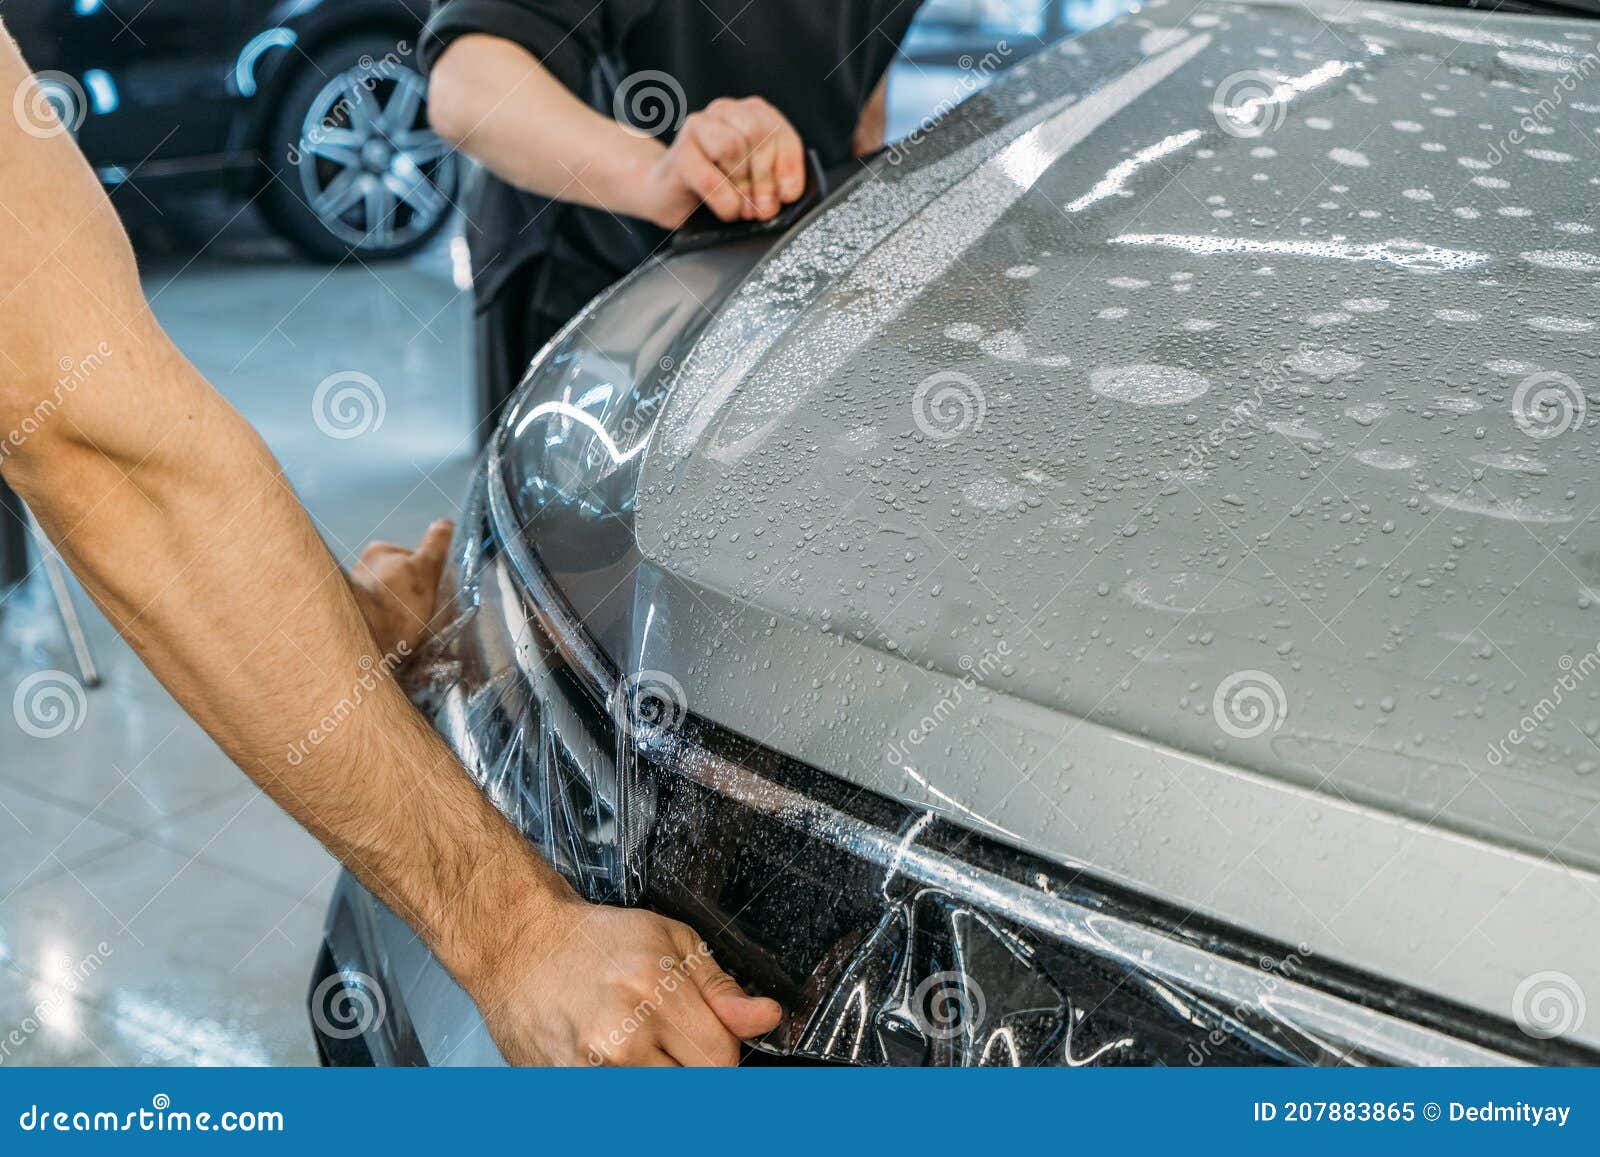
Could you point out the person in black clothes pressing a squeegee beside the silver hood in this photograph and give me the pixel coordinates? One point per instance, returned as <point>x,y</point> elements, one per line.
<point>606,124</point>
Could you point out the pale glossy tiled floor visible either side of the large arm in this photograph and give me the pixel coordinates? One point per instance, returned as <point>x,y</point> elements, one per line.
<point>154,905</point>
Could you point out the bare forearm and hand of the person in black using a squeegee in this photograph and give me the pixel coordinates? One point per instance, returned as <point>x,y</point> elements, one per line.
<point>497,103</point>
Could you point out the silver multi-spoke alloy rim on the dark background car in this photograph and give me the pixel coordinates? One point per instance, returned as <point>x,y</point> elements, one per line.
<point>372,170</point>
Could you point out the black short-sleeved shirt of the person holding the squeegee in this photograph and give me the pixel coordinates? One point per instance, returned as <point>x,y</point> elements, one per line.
<point>817,62</point>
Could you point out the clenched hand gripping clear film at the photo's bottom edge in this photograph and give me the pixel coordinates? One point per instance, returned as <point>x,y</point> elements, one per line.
<point>591,985</point>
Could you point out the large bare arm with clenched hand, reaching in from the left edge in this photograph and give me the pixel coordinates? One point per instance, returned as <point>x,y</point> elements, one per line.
<point>185,532</point>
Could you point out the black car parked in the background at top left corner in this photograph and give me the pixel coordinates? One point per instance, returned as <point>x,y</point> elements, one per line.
<point>314,110</point>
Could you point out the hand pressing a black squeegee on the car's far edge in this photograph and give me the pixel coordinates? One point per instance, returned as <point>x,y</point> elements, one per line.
<point>742,159</point>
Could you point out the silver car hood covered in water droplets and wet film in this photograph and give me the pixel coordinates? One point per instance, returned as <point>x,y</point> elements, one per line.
<point>1175,463</point>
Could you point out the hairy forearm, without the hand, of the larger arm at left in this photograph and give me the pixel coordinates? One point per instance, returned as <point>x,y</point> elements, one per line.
<point>185,532</point>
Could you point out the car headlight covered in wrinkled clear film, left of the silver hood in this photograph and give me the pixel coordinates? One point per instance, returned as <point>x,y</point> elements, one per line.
<point>532,705</point>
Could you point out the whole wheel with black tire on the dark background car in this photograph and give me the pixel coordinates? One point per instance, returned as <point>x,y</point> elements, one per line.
<point>353,166</point>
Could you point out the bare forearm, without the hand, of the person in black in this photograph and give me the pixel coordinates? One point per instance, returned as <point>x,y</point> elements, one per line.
<point>497,103</point>
